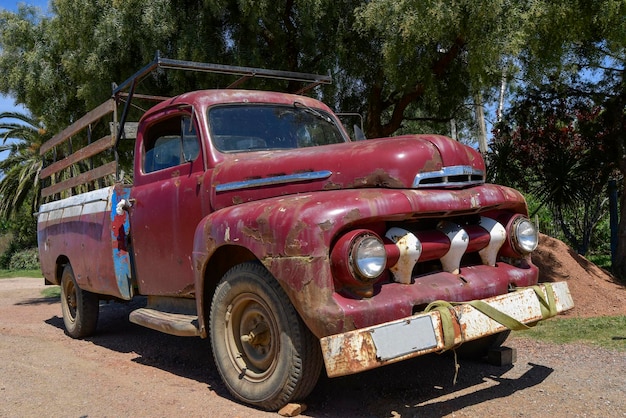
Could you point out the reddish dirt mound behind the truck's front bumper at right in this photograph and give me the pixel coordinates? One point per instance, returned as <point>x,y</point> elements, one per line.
<point>595,291</point>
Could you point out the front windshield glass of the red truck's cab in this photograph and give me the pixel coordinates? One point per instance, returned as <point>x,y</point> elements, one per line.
<point>239,128</point>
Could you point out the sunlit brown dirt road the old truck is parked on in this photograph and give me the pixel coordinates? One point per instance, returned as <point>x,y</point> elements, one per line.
<point>129,371</point>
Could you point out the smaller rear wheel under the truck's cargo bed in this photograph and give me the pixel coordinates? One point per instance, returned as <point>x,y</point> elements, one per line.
<point>80,307</point>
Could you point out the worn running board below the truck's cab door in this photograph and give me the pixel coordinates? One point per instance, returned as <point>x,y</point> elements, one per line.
<point>182,325</point>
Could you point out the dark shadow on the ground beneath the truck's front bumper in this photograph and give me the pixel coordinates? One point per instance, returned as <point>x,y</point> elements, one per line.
<point>421,387</point>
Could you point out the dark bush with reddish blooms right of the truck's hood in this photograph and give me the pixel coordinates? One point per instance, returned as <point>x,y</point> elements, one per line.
<point>550,146</point>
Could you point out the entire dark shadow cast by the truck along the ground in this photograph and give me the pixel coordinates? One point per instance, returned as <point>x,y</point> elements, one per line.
<point>419,387</point>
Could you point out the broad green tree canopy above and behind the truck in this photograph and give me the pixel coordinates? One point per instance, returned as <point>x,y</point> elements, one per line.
<point>62,64</point>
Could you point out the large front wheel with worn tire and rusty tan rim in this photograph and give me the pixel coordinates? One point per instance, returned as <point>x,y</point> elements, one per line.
<point>263,351</point>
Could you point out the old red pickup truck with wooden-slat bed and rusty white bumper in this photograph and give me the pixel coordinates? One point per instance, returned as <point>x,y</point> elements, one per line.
<point>254,220</point>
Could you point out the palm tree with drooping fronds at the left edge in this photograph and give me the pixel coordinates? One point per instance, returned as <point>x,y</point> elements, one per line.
<point>20,183</point>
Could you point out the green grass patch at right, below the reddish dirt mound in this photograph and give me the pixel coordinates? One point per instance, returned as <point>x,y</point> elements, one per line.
<point>607,331</point>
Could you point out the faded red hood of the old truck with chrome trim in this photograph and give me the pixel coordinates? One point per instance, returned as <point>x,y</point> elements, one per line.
<point>411,161</point>
